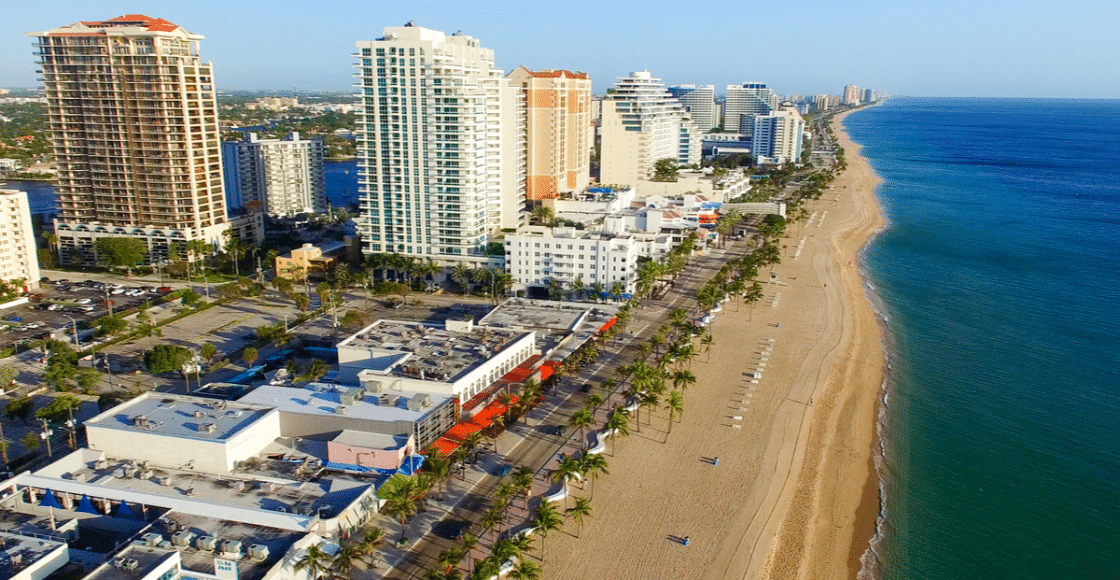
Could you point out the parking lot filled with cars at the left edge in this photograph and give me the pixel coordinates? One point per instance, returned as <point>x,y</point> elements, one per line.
<point>58,305</point>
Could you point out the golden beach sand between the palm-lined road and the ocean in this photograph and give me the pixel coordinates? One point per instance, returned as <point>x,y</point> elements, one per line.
<point>795,494</point>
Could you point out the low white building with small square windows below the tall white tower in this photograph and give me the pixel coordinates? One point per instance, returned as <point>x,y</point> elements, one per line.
<point>536,256</point>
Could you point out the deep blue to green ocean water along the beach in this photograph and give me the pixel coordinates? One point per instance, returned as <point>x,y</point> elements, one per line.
<point>998,280</point>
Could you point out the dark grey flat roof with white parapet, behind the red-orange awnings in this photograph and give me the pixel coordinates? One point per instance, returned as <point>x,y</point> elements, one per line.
<point>414,349</point>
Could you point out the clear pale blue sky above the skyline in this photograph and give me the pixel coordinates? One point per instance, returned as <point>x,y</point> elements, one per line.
<point>944,49</point>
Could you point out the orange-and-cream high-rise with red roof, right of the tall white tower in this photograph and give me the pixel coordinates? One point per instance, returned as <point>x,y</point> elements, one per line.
<point>559,130</point>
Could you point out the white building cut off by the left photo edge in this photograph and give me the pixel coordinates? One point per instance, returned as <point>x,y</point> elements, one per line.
<point>20,259</point>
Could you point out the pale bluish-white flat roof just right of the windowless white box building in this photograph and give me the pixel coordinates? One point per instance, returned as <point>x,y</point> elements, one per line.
<point>324,400</point>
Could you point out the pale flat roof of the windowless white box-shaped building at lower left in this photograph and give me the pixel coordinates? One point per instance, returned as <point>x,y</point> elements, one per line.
<point>180,416</point>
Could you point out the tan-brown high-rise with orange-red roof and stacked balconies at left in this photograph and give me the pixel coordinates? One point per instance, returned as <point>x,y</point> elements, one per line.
<point>134,120</point>
